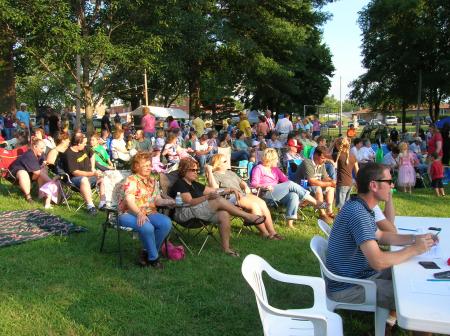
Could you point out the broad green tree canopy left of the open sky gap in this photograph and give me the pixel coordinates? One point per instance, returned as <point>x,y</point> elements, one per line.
<point>267,54</point>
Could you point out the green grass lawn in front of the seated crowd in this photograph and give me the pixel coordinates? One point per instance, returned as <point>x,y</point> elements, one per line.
<point>64,286</point>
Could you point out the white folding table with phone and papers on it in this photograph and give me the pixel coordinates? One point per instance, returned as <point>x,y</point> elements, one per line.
<point>423,305</point>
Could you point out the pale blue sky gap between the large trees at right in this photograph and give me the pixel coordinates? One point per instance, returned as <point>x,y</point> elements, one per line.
<point>343,37</point>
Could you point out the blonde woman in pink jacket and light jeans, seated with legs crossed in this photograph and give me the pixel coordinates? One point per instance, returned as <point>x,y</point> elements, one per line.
<point>278,188</point>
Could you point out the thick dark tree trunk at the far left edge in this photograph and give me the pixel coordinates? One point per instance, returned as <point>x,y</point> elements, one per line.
<point>7,74</point>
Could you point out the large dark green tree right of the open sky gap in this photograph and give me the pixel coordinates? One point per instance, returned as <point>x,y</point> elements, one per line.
<point>401,40</point>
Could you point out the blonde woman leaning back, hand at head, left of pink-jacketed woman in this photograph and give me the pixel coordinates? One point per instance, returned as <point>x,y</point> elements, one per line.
<point>220,177</point>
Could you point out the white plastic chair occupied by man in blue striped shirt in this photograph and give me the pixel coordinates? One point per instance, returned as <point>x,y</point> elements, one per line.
<point>319,246</point>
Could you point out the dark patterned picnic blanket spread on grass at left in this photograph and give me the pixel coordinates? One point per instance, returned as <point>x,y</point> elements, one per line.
<point>23,225</point>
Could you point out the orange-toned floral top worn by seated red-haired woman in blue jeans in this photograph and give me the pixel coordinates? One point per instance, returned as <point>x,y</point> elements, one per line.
<point>145,192</point>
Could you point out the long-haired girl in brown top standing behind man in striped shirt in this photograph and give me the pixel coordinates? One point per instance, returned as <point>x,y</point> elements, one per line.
<point>346,164</point>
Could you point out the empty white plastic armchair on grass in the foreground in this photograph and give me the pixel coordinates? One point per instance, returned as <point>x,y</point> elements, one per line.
<point>316,321</point>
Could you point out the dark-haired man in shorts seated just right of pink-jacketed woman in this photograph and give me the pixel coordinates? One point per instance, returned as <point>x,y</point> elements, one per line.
<point>319,183</point>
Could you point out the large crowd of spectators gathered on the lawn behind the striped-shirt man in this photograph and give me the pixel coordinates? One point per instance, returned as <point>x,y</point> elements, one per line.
<point>322,175</point>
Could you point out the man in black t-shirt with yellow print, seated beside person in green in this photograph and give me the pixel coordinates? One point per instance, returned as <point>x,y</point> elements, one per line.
<point>82,172</point>
